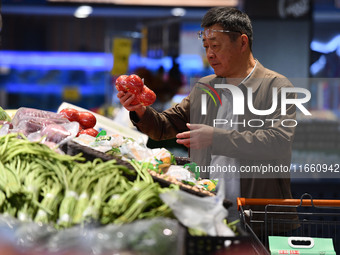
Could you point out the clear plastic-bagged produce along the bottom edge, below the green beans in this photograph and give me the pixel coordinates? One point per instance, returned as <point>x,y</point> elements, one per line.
<point>143,237</point>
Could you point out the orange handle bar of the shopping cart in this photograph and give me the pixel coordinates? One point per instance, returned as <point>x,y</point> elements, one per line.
<point>241,201</point>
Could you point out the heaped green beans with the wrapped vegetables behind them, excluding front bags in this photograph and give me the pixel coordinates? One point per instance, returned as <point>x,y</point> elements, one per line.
<point>74,179</point>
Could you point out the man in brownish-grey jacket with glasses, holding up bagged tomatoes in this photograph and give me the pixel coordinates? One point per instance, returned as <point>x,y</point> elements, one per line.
<point>243,140</point>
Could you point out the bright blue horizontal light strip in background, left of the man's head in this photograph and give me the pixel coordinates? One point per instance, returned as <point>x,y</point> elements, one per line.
<point>91,61</point>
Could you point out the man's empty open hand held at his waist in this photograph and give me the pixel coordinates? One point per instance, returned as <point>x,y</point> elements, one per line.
<point>200,136</point>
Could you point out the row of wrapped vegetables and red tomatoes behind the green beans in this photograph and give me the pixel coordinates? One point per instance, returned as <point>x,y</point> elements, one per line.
<point>72,125</point>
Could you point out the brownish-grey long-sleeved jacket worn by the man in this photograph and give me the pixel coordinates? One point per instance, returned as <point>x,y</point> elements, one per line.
<point>268,145</point>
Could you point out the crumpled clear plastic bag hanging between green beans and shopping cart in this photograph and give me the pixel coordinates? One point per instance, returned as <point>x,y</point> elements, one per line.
<point>203,213</point>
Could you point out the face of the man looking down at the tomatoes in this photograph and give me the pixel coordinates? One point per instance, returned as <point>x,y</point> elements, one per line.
<point>223,55</point>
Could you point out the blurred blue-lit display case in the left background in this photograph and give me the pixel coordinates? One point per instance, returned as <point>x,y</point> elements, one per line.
<point>45,79</point>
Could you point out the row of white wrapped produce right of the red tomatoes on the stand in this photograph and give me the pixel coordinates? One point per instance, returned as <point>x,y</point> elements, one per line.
<point>162,164</point>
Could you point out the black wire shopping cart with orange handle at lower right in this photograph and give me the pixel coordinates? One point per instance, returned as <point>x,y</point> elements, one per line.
<point>304,217</point>
